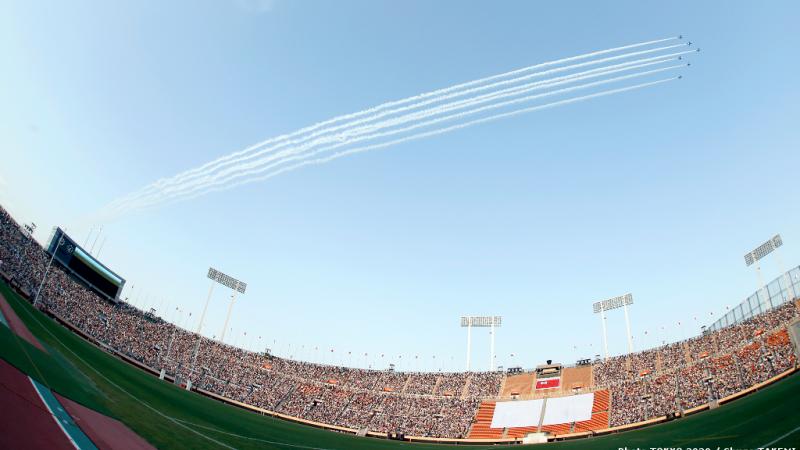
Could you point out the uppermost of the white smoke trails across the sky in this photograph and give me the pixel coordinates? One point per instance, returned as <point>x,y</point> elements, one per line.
<point>228,159</point>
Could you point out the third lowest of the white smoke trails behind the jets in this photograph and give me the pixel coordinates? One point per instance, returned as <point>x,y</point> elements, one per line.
<point>509,92</point>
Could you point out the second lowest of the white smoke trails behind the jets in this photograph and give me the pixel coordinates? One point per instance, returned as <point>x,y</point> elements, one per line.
<point>257,168</point>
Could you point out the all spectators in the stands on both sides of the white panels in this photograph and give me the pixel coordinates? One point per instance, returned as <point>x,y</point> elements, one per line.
<point>646,384</point>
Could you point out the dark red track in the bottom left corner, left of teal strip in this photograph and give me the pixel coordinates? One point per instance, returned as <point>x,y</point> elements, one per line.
<point>25,421</point>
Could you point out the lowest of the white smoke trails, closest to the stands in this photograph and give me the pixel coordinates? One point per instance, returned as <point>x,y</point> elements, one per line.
<point>426,134</point>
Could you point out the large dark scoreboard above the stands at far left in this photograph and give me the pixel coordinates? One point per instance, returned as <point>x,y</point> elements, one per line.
<point>84,267</point>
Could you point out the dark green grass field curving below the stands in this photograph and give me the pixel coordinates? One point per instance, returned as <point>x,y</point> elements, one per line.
<point>170,417</point>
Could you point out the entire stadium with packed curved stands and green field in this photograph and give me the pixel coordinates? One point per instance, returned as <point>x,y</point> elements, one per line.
<point>76,328</point>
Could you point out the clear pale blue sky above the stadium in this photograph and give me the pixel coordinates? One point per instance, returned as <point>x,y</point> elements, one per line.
<point>657,192</point>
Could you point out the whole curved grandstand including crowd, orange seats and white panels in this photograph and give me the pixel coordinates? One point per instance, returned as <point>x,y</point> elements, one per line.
<point>616,394</point>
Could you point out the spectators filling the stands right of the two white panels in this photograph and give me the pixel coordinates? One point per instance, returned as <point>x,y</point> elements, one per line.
<point>699,370</point>
